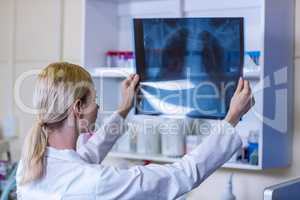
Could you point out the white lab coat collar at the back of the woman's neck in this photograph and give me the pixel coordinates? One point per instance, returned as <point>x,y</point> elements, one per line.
<point>65,154</point>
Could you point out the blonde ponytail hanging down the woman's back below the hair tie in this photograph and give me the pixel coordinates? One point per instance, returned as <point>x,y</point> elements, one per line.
<point>33,153</point>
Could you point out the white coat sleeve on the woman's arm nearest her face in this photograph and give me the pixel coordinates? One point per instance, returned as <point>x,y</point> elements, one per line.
<point>100,143</point>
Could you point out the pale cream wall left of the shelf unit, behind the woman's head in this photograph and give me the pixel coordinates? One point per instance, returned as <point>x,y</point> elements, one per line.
<point>33,34</point>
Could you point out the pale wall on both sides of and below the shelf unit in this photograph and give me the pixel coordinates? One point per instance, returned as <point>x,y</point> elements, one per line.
<point>34,33</point>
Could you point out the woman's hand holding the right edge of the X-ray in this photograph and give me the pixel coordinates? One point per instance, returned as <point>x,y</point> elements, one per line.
<point>240,103</point>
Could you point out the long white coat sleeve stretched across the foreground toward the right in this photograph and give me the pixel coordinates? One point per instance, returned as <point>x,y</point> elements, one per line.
<point>166,182</point>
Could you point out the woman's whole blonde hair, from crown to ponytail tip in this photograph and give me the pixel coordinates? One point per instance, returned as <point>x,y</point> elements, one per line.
<point>58,86</point>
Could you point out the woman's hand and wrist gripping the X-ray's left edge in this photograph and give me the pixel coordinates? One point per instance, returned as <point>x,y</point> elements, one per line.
<point>128,92</point>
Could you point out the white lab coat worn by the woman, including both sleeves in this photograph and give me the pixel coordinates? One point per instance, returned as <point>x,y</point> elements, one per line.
<point>70,175</point>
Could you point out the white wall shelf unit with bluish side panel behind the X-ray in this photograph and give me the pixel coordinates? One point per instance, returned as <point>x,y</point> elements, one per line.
<point>268,25</point>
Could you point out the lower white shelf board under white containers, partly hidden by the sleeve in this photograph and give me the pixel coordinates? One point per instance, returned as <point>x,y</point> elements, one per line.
<point>165,159</point>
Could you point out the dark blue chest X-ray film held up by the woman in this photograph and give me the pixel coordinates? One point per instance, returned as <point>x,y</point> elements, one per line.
<point>188,66</point>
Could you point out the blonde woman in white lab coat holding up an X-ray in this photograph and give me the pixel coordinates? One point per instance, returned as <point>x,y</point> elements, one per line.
<point>51,168</point>
